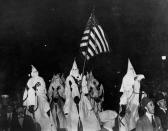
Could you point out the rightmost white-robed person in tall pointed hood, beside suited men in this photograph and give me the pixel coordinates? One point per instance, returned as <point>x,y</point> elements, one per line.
<point>129,101</point>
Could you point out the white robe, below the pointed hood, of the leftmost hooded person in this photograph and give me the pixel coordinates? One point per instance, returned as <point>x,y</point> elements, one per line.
<point>40,101</point>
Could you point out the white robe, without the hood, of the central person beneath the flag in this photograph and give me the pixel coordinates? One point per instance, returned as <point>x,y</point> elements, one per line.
<point>86,113</point>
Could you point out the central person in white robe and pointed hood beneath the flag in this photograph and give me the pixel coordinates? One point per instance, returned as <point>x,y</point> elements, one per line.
<point>78,112</point>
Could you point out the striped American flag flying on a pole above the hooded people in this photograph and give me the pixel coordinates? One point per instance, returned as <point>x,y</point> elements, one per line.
<point>93,41</point>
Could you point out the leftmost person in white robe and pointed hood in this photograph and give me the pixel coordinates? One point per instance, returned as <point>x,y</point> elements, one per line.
<point>36,101</point>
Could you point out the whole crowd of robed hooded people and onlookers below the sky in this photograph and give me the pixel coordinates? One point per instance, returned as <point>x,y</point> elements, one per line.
<point>75,104</point>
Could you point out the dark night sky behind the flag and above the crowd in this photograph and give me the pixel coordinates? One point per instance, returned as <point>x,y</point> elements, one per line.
<point>137,29</point>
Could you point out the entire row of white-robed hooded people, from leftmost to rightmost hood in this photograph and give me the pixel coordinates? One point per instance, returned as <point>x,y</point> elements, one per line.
<point>75,103</point>
